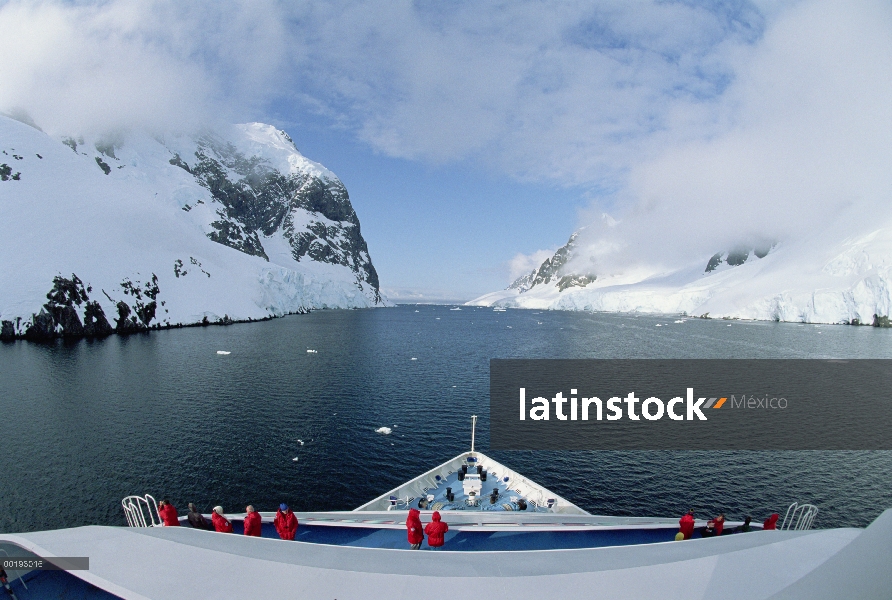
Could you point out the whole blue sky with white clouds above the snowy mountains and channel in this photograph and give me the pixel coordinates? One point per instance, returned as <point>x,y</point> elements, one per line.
<point>475,137</point>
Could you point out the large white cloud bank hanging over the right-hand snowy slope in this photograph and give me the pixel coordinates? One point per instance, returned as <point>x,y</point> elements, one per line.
<point>805,145</point>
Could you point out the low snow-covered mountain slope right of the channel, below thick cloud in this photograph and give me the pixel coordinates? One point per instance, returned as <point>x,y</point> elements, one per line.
<point>841,274</point>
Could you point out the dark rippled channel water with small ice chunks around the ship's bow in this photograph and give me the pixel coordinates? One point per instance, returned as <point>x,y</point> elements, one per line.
<point>87,422</point>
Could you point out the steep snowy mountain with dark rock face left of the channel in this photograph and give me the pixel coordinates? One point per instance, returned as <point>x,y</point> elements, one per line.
<point>122,234</point>
